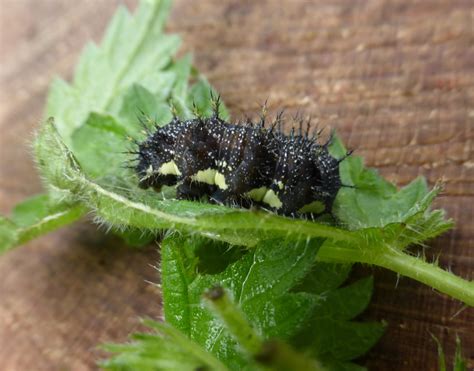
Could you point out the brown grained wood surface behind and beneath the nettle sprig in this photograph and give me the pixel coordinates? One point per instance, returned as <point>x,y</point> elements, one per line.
<point>396,79</point>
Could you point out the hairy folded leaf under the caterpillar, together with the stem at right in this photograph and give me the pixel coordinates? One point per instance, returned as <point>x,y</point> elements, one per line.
<point>118,202</point>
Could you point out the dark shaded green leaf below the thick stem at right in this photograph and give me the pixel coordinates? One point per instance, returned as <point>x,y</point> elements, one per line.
<point>331,335</point>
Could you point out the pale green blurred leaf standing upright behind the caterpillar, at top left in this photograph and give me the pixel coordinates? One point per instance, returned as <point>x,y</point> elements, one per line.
<point>133,51</point>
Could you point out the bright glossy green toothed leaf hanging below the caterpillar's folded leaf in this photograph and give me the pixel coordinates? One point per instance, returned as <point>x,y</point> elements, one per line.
<point>259,283</point>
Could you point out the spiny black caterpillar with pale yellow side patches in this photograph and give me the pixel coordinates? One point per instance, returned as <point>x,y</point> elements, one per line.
<point>241,165</point>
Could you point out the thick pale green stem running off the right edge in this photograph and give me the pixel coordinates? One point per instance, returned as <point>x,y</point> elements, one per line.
<point>406,265</point>
